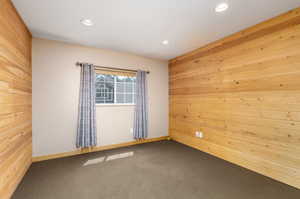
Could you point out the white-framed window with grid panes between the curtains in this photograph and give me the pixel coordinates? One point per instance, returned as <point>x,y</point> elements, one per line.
<point>115,89</point>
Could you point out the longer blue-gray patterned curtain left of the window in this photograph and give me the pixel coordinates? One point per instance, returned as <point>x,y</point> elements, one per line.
<point>86,130</point>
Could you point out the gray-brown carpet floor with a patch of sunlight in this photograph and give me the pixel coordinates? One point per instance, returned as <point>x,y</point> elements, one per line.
<point>160,170</point>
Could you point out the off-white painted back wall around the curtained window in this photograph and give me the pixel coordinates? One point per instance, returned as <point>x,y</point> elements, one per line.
<point>56,93</point>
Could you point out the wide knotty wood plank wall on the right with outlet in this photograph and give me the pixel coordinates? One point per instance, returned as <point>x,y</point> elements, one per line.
<point>243,92</point>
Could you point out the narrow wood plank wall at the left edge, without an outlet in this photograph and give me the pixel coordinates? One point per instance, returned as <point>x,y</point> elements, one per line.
<point>15,99</point>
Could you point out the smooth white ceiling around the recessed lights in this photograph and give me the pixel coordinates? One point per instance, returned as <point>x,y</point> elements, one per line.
<point>139,26</point>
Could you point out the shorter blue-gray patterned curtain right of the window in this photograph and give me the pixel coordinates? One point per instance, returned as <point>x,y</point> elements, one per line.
<point>140,127</point>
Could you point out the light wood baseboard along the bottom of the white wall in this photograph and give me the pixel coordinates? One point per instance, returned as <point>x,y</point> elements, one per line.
<point>95,149</point>
